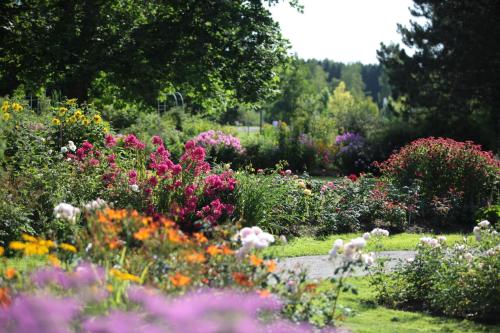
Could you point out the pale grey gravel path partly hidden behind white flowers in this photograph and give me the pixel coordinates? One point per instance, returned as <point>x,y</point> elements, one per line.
<point>321,267</point>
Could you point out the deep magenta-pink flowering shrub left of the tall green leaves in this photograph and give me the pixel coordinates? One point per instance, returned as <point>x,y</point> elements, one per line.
<point>189,191</point>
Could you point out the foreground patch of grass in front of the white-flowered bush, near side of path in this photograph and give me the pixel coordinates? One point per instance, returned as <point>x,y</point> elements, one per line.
<point>371,318</point>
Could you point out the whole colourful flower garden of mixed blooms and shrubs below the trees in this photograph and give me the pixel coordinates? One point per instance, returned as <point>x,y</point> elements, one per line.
<point>109,231</point>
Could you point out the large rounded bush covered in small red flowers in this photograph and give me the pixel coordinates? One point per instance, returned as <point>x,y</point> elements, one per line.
<point>455,178</point>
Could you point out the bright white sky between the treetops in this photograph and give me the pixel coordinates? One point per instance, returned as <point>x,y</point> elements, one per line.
<point>342,30</point>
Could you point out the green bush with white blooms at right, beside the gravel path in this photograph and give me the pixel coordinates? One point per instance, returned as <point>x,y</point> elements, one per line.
<point>458,281</point>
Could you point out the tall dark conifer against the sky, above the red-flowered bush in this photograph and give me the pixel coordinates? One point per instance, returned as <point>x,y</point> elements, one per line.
<point>451,81</point>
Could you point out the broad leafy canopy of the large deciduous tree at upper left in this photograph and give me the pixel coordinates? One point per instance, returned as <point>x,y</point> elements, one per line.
<point>202,47</point>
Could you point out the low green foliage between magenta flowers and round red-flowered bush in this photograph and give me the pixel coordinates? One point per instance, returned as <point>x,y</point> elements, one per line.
<point>295,205</point>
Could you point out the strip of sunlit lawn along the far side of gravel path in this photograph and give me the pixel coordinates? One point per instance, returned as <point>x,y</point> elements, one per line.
<point>306,246</point>
